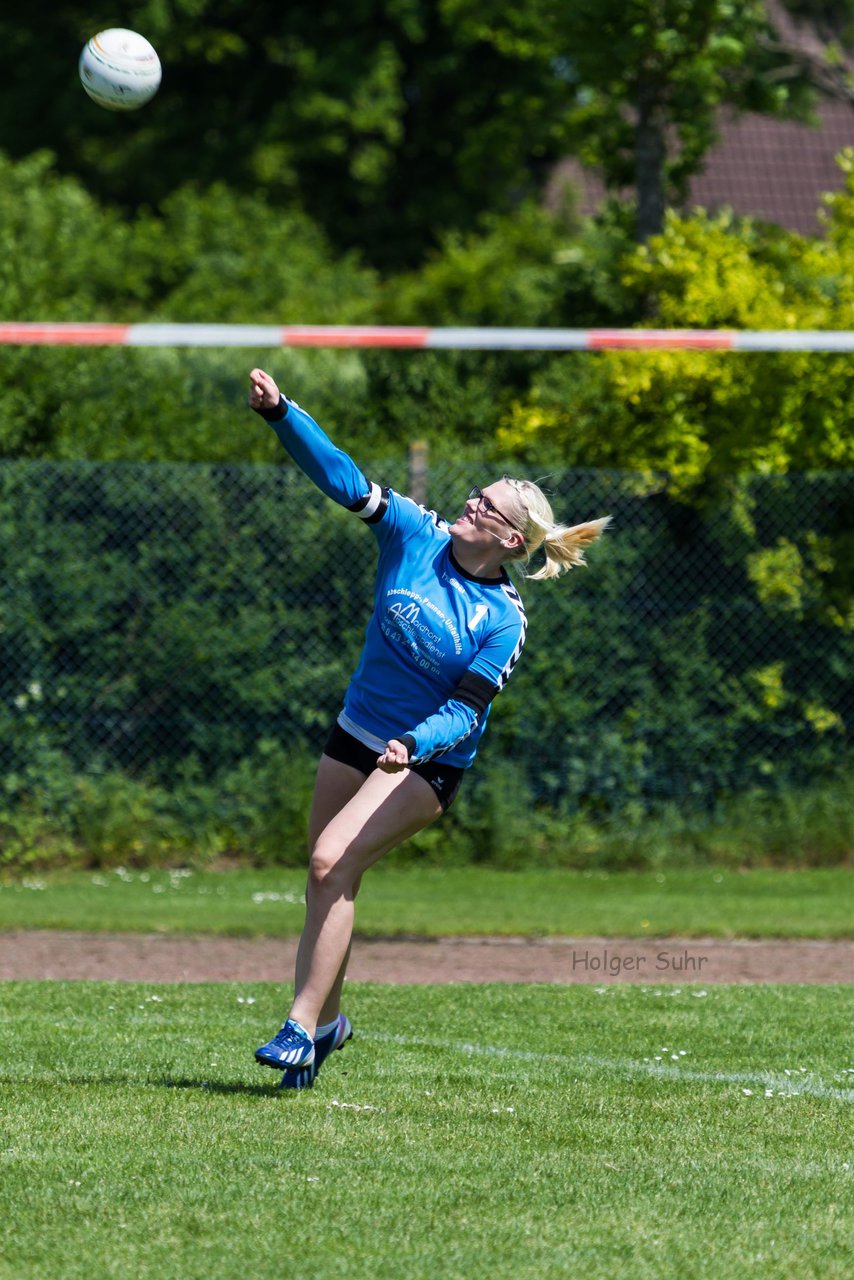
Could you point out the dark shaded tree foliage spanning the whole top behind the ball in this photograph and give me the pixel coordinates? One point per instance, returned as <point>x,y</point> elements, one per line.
<point>392,122</point>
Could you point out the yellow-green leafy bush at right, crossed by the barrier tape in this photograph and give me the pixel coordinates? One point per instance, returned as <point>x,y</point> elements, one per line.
<point>697,415</point>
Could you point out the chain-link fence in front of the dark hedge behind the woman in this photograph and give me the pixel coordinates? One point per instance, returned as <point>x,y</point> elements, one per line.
<point>161,619</point>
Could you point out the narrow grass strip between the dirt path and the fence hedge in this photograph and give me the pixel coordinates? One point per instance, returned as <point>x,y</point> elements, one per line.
<point>430,902</point>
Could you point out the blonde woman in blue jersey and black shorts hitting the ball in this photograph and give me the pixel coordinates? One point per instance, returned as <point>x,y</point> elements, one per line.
<point>445,637</point>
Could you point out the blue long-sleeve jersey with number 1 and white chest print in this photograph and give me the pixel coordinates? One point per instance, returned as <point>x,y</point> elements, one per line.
<point>441,643</point>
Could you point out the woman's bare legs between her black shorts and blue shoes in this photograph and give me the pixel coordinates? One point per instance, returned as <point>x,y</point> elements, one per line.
<point>387,810</point>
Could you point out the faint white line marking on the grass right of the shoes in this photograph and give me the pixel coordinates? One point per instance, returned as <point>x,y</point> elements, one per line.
<point>591,1063</point>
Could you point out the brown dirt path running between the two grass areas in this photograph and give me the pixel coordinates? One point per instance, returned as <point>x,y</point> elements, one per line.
<point>163,958</point>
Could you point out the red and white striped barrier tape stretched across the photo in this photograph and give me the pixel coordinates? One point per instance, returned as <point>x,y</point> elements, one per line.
<point>28,333</point>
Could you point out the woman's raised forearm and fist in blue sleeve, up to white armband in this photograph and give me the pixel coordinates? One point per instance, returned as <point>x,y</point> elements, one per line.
<point>332,470</point>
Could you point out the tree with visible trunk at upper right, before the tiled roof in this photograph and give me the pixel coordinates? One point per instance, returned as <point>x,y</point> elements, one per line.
<point>643,83</point>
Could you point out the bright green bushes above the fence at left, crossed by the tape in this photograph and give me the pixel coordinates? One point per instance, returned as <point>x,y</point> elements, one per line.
<point>208,257</point>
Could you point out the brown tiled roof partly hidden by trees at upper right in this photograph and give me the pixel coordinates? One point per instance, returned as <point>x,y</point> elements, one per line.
<point>777,171</point>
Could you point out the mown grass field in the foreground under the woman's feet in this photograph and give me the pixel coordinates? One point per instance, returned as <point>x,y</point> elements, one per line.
<point>467,1132</point>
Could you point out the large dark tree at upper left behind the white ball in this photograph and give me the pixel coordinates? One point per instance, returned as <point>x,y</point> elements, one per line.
<point>371,116</point>
